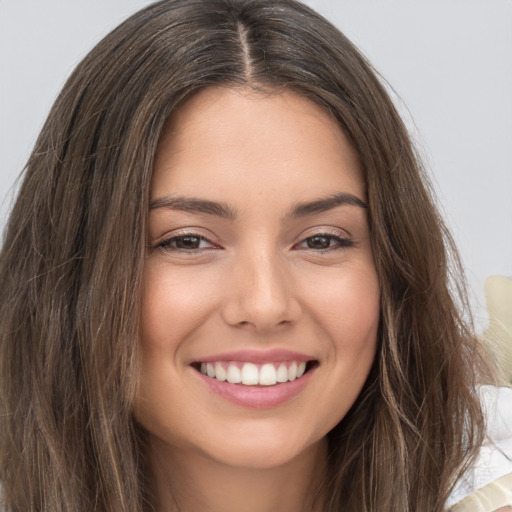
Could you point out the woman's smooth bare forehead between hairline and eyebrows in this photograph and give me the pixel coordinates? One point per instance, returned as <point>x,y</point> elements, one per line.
<point>226,140</point>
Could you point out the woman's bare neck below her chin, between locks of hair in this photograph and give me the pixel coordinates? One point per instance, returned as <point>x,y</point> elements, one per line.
<point>193,482</point>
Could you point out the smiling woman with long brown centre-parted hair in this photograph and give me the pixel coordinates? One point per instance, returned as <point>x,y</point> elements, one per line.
<point>225,285</point>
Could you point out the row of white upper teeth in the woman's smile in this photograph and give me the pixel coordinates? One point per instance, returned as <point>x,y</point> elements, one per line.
<point>252,374</point>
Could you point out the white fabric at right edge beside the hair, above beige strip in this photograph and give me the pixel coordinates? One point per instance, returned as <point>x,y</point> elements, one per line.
<point>494,460</point>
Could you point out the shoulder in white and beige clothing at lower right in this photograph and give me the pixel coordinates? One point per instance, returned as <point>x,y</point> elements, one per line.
<point>487,485</point>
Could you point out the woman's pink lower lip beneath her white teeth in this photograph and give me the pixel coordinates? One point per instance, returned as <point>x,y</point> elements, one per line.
<point>257,397</point>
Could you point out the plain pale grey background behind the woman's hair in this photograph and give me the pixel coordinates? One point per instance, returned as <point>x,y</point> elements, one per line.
<point>449,61</point>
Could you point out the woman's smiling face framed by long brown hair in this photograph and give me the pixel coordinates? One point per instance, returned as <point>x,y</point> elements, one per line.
<point>260,268</point>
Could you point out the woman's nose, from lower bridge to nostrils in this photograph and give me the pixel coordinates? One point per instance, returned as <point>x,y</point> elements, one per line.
<point>261,294</point>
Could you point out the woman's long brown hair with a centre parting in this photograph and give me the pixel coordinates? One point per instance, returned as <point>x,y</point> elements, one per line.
<point>73,256</point>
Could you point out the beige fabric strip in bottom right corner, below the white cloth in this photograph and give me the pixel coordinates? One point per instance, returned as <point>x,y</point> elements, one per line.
<point>492,497</point>
